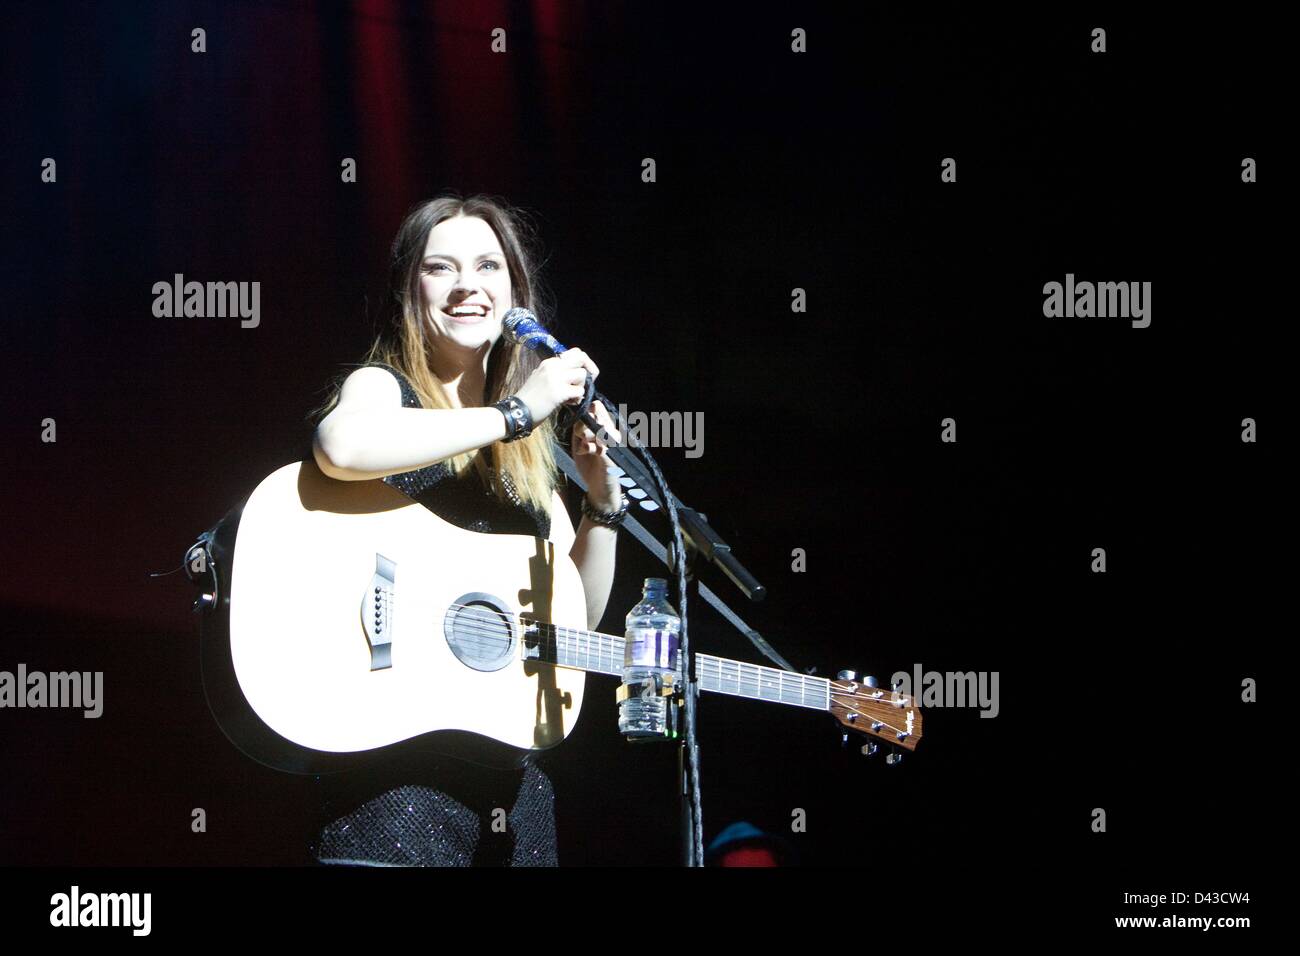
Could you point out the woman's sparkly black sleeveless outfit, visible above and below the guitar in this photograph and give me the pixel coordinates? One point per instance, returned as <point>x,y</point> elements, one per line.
<point>432,811</point>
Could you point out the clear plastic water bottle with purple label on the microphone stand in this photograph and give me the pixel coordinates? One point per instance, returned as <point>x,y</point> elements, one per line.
<point>651,667</point>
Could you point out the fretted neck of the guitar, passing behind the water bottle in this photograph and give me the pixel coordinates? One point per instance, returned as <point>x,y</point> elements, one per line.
<point>603,654</point>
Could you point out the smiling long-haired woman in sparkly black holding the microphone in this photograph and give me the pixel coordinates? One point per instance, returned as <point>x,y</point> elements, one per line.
<point>450,412</point>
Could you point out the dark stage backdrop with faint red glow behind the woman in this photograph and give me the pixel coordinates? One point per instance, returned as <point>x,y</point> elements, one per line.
<point>775,171</point>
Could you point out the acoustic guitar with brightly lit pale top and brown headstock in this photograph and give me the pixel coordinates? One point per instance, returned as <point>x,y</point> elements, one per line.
<point>344,622</point>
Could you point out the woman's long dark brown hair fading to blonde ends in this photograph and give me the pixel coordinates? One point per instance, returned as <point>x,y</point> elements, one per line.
<point>528,462</point>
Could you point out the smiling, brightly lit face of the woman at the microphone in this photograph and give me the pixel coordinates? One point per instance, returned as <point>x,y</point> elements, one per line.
<point>465,272</point>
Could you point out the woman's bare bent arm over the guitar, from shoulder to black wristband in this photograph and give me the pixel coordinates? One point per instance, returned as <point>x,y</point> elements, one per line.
<point>370,435</point>
